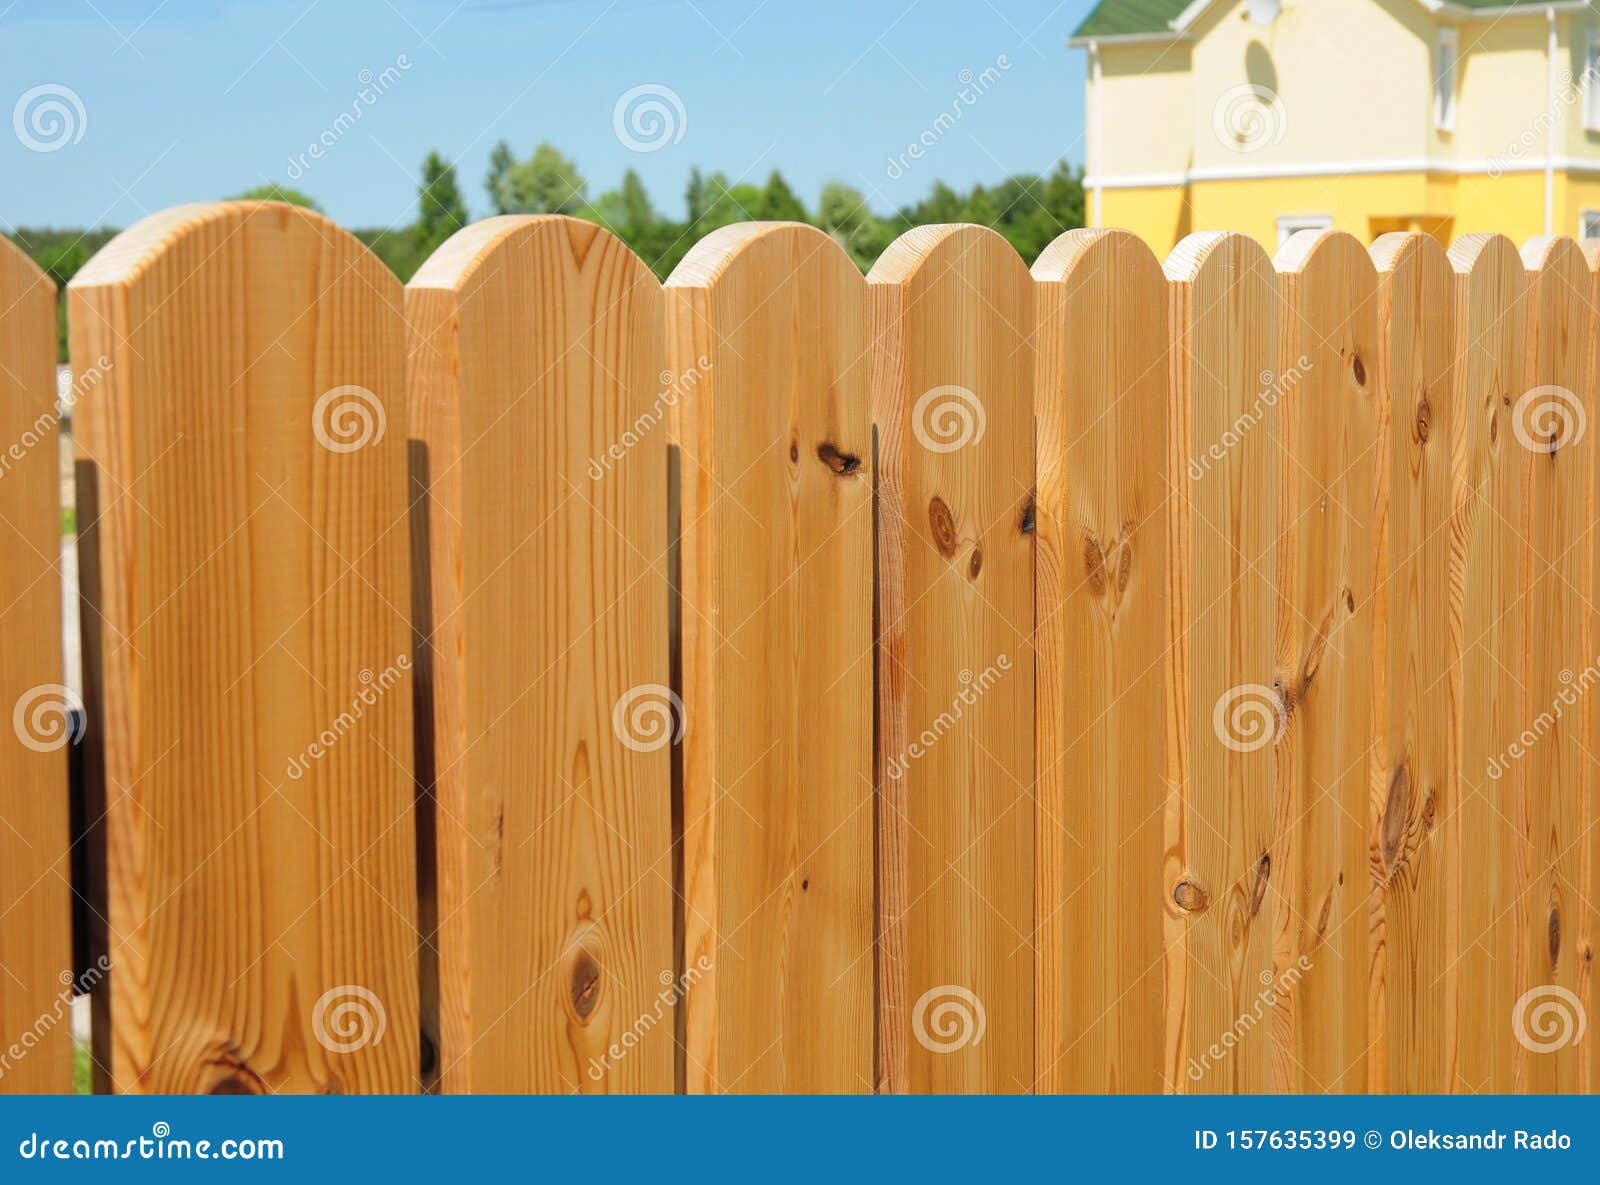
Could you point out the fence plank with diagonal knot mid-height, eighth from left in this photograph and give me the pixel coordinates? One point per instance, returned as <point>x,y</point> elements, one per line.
<point>1329,375</point>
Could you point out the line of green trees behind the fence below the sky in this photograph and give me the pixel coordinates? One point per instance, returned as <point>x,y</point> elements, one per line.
<point>1028,210</point>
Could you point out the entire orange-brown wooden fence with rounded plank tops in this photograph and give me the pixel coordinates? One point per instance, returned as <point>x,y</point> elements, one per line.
<point>951,680</point>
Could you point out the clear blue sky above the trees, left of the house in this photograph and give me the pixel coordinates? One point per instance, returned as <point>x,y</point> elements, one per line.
<point>188,102</point>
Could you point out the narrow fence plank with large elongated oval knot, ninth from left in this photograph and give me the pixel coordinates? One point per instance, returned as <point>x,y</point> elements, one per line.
<point>1415,807</point>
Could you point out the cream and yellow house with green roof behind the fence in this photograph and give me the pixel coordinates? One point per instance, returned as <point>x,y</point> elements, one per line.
<point>1367,116</point>
